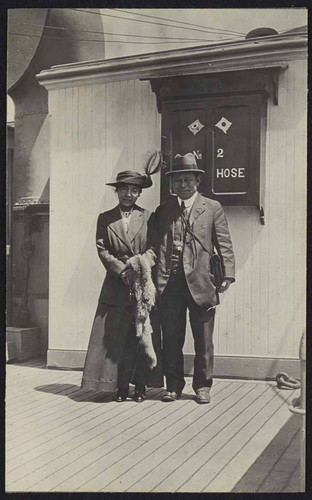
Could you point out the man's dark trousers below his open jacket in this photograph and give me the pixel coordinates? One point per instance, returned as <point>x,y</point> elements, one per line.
<point>175,301</point>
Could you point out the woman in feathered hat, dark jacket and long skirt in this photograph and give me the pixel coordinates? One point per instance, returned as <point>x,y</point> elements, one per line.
<point>113,359</point>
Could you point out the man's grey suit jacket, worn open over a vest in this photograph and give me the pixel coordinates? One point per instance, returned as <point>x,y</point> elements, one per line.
<point>206,215</point>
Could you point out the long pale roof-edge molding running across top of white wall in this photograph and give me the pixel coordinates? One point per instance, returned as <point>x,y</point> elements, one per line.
<point>262,52</point>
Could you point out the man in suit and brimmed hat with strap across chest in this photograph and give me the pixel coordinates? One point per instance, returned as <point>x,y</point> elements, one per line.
<point>184,233</point>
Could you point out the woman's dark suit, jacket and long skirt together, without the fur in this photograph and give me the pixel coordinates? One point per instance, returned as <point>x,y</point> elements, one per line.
<point>114,317</point>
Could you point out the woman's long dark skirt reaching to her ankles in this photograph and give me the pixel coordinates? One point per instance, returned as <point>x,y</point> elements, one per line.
<point>114,357</point>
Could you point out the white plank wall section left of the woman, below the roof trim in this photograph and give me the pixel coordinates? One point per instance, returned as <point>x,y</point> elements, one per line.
<point>97,131</point>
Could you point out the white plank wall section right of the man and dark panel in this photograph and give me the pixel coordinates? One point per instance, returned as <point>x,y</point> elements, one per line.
<point>263,314</point>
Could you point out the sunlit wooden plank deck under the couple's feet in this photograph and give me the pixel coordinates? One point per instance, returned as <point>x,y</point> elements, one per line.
<point>62,439</point>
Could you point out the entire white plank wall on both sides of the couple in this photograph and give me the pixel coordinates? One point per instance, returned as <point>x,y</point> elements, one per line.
<point>100,129</point>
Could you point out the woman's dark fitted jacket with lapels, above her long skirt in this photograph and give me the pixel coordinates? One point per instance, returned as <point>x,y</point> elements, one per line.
<point>115,247</point>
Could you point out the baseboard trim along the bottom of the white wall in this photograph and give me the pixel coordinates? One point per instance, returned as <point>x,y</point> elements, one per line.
<point>244,367</point>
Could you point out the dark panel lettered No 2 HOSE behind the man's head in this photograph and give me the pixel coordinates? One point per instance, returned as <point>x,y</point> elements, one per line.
<point>224,135</point>
